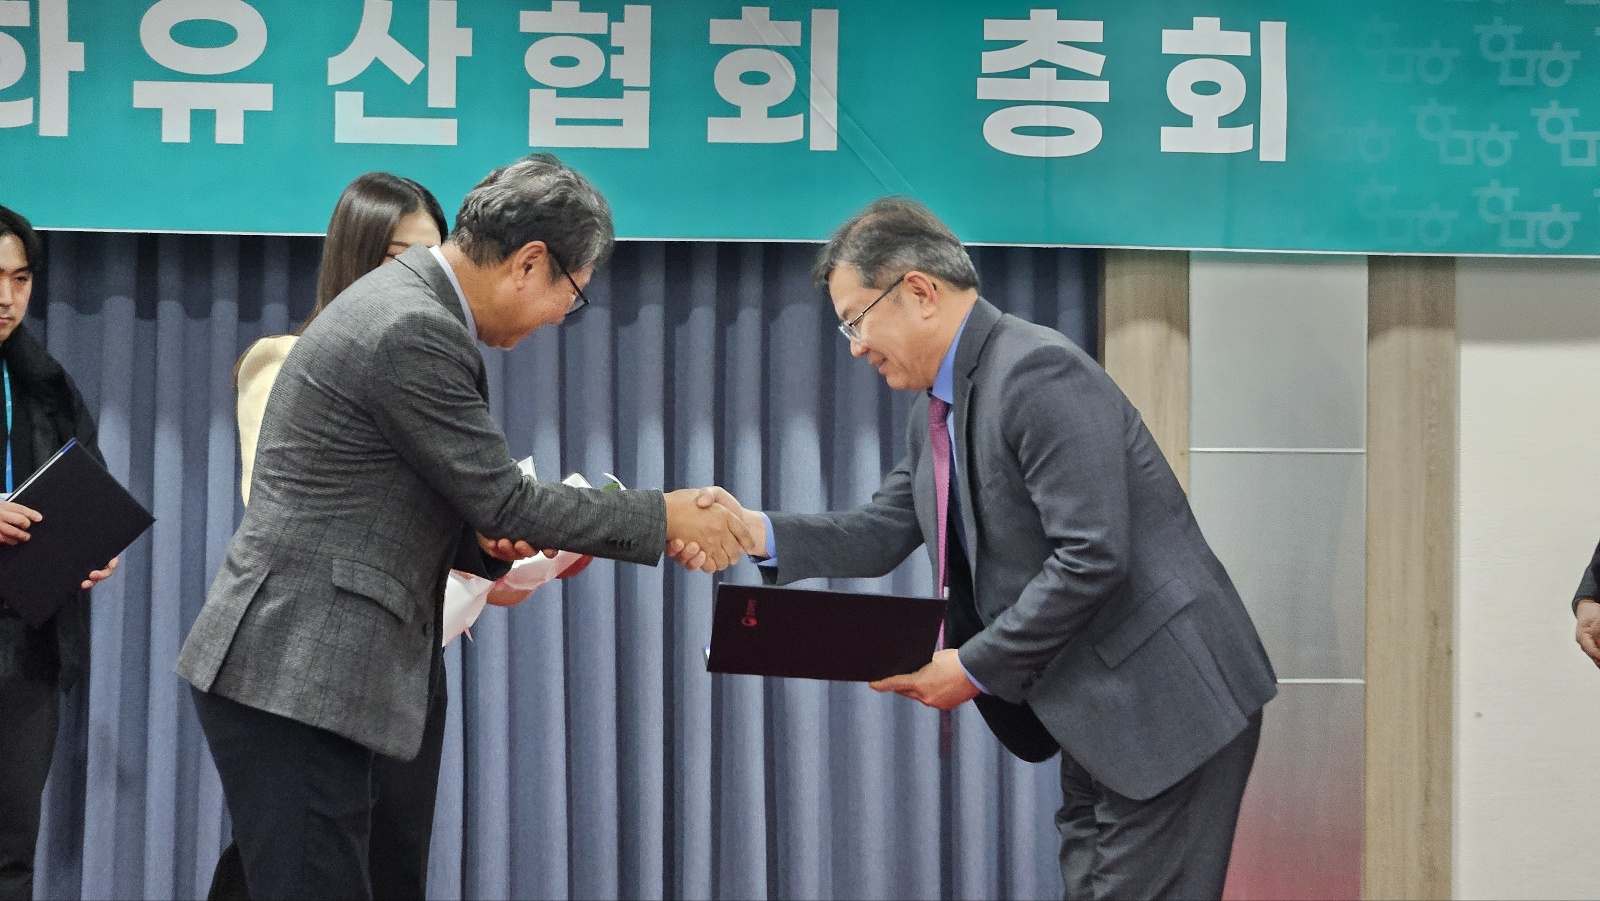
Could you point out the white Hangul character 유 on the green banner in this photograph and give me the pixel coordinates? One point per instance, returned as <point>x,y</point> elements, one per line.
<point>178,102</point>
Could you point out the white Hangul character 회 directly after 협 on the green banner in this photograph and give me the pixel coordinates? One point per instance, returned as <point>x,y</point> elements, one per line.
<point>756,31</point>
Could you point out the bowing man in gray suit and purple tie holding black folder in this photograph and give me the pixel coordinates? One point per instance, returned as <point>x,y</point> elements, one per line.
<point>1087,612</point>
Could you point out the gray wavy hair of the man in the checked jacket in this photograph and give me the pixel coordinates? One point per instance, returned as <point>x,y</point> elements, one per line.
<point>537,199</point>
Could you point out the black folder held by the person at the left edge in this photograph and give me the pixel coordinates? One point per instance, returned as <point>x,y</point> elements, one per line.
<point>89,518</point>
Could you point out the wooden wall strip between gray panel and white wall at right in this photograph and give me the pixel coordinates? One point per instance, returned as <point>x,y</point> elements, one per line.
<point>1412,450</point>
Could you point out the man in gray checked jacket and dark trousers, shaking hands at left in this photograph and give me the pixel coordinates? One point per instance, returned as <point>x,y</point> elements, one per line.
<point>377,463</point>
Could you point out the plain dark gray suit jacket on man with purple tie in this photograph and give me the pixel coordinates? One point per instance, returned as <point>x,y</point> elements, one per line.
<point>1103,607</point>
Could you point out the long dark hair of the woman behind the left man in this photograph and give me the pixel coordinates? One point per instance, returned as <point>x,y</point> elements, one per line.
<point>361,228</point>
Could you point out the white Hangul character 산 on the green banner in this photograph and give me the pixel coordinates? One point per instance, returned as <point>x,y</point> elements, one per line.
<point>372,44</point>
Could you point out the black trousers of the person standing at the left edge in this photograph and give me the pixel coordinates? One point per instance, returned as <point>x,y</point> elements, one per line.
<point>30,715</point>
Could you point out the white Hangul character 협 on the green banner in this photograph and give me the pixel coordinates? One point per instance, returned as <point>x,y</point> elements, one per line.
<point>567,121</point>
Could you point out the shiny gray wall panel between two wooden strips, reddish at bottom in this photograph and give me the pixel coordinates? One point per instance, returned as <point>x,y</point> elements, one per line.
<point>1279,484</point>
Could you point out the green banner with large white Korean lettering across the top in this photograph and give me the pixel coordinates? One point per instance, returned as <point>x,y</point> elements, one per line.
<point>1362,126</point>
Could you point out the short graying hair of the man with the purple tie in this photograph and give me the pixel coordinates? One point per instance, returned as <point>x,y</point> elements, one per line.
<point>892,238</point>
